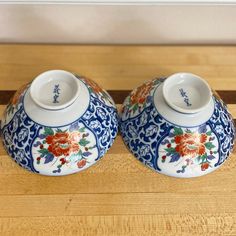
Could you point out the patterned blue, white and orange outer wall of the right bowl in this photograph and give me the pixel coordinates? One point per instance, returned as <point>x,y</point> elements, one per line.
<point>162,146</point>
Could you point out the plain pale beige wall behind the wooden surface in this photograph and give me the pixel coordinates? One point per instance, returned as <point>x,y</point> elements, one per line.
<point>139,24</point>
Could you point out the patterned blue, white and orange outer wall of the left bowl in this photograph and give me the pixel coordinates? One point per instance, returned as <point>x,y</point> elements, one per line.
<point>60,150</point>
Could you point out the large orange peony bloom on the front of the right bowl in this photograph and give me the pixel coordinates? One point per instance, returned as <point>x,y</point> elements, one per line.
<point>191,144</point>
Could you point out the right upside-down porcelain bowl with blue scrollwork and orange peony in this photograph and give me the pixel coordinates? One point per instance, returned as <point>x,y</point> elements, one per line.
<point>177,126</point>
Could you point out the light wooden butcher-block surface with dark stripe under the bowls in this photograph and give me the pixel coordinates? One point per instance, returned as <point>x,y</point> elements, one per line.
<point>117,196</point>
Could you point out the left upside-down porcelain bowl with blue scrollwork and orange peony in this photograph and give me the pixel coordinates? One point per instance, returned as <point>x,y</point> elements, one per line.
<point>59,124</point>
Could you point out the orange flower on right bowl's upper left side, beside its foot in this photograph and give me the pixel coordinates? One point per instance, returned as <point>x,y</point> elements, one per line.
<point>140,94</point>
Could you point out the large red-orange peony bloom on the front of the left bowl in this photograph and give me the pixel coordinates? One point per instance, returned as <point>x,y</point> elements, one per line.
<point>62,144</point>
